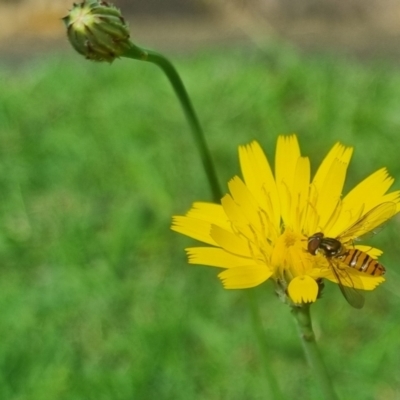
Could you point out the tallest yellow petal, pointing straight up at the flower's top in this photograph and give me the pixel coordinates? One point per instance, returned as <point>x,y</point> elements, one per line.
<point>287,154</point>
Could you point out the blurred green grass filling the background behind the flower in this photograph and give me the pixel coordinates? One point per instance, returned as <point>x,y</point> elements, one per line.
<point>97,300</point>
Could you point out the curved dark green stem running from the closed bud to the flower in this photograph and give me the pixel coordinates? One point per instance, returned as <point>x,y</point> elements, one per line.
<point>179,88</point>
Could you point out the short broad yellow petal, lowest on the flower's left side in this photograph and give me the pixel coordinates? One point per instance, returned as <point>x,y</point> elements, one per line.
<point>244,277</point>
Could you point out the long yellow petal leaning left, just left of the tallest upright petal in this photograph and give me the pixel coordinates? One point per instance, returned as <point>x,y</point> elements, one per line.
<point>258,177</point>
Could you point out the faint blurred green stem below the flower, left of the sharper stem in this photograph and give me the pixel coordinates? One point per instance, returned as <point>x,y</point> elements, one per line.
<point>275,392</point>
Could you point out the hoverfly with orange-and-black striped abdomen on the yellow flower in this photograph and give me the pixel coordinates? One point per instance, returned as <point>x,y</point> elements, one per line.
<point>341,257</point>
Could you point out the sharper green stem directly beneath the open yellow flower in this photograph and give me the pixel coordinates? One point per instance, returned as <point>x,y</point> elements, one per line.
<point>307,336</point>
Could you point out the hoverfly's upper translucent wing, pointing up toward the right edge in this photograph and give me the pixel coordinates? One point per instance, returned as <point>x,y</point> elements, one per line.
<point>368,222</point>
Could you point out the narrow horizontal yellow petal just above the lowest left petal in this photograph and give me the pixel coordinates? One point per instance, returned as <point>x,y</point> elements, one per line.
<point>215,257</point>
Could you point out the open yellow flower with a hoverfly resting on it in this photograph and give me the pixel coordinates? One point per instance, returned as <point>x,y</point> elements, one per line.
<point>264,228</point>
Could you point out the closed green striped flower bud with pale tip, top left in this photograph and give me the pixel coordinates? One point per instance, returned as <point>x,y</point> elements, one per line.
<point>97,30</point>
